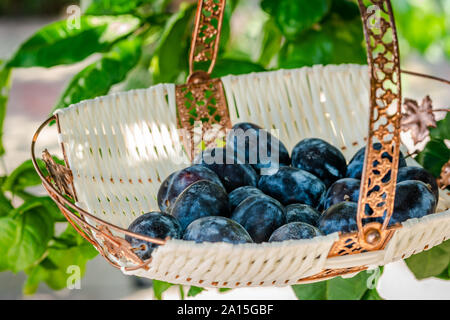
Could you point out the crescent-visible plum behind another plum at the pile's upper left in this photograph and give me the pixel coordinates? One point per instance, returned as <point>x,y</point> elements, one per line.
<point>175,183</point>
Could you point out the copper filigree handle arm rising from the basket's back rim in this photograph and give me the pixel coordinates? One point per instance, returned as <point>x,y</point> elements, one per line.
<point>205,38</point>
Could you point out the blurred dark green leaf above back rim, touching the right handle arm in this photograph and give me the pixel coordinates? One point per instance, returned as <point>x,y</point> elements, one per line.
<point>337,42</point>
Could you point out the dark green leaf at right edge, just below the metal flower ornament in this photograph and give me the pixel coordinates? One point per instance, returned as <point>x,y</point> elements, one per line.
<point>434,156</point>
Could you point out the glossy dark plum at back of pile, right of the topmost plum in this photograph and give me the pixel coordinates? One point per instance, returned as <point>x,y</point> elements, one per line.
<point>319,158</point>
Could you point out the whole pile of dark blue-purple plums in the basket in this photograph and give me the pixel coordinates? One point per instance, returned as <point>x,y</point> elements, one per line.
<point>245,197</point>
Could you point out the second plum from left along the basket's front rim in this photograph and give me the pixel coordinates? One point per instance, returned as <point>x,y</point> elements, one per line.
<point>216,229</point>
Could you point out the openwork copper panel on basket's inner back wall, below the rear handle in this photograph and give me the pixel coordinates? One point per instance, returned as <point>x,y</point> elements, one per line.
<point>202,114</point>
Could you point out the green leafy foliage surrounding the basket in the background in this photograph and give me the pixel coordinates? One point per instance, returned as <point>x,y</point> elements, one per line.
<point>138,43</point>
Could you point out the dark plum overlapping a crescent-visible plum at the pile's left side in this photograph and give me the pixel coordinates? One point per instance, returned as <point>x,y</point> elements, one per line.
<point>201,199</point>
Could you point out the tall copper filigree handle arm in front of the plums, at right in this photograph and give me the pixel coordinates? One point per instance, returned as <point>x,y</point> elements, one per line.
<point>382,152</point>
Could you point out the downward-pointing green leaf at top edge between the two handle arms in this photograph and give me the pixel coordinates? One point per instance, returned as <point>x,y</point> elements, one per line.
<point>294,17</point>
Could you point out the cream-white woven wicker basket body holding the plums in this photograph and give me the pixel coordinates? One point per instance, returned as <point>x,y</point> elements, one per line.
<point>120,147</point>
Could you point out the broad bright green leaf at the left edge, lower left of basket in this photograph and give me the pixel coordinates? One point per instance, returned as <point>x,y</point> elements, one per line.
<point>24,238</point>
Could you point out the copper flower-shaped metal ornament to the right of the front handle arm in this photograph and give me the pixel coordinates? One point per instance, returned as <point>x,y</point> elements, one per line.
<point>418,118</point>
